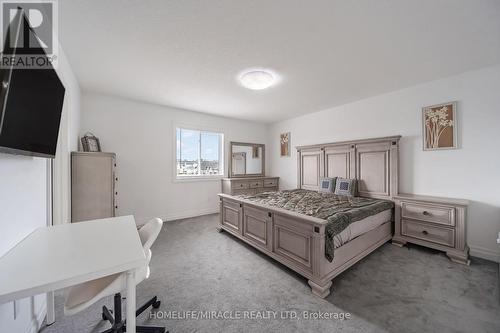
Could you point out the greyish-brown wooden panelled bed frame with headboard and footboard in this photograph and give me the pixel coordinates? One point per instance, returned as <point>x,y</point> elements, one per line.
<point>297,240</point>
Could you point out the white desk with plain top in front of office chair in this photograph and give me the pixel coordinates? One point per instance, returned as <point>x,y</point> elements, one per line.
<point>57,257</point>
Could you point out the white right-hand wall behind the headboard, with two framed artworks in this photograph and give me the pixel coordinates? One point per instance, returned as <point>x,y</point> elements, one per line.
<point>471,172</point>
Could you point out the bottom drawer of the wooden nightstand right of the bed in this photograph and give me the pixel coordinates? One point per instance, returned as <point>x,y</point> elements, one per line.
<point>424,231</point>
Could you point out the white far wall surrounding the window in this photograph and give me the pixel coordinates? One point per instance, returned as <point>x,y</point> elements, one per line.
<point>142,136</point>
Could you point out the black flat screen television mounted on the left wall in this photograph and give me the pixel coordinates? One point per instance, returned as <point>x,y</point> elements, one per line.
<point>31,99</point>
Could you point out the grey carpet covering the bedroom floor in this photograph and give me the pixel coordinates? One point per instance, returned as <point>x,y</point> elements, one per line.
<point>392,290</point>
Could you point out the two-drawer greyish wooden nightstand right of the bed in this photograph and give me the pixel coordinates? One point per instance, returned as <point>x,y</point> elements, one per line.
<point>434,222</point>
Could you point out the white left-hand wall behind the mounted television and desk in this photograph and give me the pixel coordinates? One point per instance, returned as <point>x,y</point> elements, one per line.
<point>23,198</point>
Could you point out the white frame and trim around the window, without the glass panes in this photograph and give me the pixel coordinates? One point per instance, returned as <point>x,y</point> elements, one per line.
<point>191,178</point>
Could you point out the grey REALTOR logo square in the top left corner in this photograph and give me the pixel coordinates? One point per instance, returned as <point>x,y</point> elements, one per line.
<point>29,38</point>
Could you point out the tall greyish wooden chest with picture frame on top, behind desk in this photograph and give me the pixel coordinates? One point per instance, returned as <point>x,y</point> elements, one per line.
<point>93,186</point>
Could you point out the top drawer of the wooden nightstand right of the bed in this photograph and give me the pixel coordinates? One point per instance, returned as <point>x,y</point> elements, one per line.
<point>430,213</point>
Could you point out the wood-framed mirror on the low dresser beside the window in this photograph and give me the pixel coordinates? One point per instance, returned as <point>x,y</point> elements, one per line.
<point>247,159</point>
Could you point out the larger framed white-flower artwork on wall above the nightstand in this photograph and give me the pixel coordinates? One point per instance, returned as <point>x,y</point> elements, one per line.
<point>440,126</point>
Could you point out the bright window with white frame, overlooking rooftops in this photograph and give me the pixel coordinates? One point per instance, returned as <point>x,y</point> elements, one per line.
<point>199,153</point>
